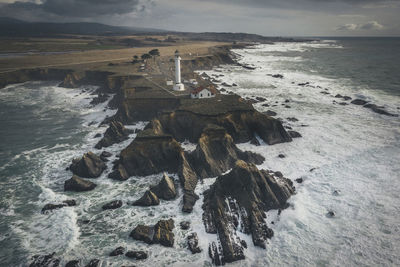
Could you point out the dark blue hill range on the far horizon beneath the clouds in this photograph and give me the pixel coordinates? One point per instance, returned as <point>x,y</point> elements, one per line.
<point>17,28</point>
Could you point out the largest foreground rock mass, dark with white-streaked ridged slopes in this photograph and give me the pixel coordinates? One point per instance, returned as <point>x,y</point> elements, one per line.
<point>237,202</point>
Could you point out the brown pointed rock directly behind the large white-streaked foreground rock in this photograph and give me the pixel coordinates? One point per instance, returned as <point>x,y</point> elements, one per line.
<point>216,153</point>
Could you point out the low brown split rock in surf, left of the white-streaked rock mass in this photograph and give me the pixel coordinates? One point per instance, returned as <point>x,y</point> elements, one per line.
<point>160,233</point>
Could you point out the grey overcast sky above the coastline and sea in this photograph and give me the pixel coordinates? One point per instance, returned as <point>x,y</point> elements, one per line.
<point>267,17</point>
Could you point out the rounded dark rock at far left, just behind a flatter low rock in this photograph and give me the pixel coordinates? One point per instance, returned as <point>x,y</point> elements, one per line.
<point>89,166</point>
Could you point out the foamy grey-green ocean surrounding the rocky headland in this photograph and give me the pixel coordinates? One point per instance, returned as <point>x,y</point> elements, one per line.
<point>354,154</point>
